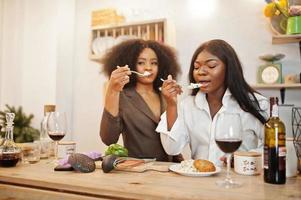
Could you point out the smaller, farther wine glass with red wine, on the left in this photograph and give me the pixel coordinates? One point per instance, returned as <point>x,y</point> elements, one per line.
<point>57,128</point>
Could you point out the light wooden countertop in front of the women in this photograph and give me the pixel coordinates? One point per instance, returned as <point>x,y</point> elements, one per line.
<point>34,181</point>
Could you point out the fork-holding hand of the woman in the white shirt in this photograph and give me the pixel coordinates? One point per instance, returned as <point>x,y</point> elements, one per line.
<point>170,90</point>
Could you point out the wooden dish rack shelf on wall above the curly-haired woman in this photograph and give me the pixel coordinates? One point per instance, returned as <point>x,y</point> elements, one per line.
<point>147,30</point>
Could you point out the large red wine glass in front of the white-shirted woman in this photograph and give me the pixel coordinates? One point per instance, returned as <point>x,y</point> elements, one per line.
<point>228,137</point>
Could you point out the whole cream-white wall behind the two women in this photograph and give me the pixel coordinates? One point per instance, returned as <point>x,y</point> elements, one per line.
<point>47,45</point>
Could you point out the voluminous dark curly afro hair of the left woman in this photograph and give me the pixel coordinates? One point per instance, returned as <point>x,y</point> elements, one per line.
<point>127,53</point>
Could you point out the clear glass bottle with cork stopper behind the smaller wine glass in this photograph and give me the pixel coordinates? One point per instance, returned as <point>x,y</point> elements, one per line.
<point>46,142</point>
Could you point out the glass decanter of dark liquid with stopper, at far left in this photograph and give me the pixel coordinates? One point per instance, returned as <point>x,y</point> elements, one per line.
<point>10,154</point>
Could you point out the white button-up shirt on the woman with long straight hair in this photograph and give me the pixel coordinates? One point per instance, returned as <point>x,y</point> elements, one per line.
<point>195,127</point>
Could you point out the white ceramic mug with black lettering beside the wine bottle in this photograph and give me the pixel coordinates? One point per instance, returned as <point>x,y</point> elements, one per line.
<point>247,163</point>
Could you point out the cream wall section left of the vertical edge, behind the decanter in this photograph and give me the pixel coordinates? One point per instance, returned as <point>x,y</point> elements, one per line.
<point>37,55</point>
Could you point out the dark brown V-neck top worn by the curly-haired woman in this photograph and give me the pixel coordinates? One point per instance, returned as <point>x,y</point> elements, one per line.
<point>137,124</point>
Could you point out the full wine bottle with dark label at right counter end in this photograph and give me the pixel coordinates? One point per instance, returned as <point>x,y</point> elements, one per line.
<point>274,146</point>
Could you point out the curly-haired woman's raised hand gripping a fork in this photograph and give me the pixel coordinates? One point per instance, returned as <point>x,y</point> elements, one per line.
<point>119,77</point>
